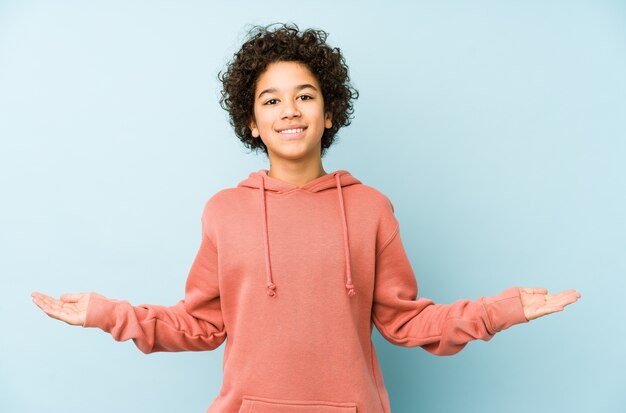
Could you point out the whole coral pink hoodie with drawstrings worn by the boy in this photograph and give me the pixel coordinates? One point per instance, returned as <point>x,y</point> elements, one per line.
<point>296,277</point>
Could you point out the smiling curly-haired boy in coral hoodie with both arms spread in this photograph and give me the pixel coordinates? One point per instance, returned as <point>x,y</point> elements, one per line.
<point>296,264</point>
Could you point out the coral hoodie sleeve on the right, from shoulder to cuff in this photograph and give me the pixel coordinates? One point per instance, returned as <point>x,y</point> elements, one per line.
<point>441,329</point>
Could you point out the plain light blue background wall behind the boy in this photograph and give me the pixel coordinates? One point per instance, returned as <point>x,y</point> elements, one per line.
<point>496,128</point>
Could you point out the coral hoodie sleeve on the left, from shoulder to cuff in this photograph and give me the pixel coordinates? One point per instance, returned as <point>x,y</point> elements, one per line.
<point>194,323</point>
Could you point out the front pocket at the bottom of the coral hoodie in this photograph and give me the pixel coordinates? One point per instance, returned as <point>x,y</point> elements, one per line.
<point>252,404</point>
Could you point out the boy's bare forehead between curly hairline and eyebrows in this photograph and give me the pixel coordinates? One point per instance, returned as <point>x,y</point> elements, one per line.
<point>285,76</point>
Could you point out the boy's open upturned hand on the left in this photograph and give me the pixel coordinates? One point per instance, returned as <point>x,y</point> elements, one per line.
<point>71,308</point>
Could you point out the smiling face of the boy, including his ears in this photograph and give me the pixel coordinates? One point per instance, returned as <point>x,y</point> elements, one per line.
<point>289,112</point>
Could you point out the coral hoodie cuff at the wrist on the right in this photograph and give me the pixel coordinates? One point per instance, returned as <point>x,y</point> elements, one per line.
<point>504,310</point>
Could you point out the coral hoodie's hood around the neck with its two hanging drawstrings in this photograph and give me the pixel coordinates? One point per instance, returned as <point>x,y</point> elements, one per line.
<point>333,181</point>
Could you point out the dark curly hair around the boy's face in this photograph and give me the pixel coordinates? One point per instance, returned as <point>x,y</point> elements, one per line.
<point>270,44</point>
